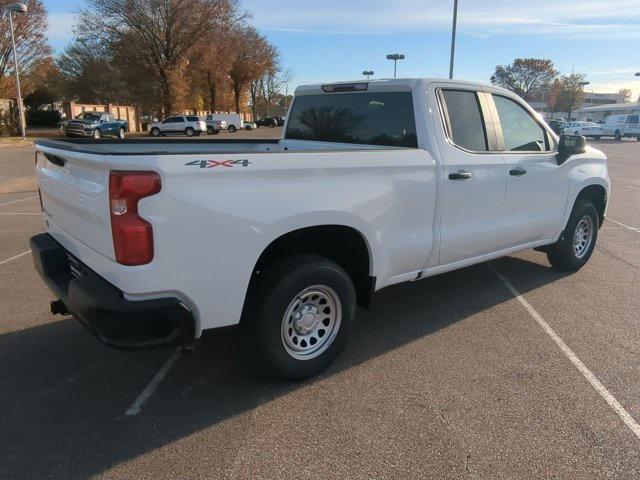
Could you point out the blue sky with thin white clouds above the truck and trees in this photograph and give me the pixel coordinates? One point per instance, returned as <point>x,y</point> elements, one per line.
<point>327,40</point>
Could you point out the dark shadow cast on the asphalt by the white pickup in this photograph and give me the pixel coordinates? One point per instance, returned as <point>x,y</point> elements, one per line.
<point>64,395</point>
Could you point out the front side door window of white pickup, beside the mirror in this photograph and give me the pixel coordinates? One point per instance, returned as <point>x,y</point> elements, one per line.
<point>520,131</point>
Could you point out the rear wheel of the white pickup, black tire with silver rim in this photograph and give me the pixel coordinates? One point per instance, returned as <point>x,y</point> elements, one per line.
<point>299,315</point>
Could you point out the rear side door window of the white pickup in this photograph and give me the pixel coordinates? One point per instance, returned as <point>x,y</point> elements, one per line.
<point>465,121</point>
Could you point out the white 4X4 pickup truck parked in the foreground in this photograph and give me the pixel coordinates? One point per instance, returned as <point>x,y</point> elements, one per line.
<point>151,242</point>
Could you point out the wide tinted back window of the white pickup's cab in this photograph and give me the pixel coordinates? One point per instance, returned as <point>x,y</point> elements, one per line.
<point>362,118</point>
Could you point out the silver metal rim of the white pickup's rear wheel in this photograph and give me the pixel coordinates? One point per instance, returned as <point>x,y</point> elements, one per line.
<point>311,322</point>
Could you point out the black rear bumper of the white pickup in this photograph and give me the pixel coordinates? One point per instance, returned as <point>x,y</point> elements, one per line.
<point>102,308</point>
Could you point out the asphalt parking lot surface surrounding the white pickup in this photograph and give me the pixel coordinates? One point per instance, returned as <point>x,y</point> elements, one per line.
<point>503,370</point>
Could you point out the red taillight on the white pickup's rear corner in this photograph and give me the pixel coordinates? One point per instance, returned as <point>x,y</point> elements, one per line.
<point>132,235</point>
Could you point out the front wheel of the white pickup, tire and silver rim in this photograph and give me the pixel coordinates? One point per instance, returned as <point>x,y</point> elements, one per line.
<point>578,240</point>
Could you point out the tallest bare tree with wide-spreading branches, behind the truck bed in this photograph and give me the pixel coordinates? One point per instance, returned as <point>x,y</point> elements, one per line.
<point>162,33</point>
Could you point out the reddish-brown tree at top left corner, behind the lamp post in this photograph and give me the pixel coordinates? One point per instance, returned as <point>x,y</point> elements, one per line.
<point>31,44</point>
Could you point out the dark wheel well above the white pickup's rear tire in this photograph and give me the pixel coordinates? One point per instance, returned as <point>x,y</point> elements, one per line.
<point>344,245</point>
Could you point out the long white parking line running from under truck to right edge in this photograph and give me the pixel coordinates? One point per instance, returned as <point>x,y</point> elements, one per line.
<point>591,378</point>
